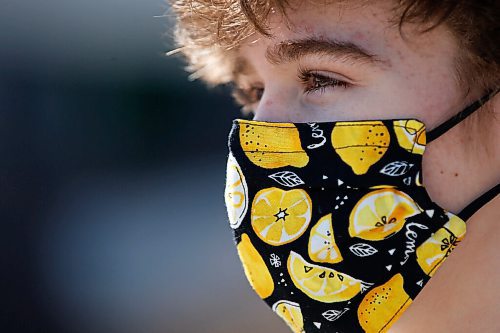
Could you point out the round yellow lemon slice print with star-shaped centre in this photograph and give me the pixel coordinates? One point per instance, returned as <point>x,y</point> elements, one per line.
<point>278,216</point>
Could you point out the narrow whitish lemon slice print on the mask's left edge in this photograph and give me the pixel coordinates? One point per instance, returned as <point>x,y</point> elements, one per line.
<point>236,193</point>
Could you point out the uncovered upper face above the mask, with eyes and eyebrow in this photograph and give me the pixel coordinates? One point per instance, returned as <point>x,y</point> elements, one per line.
<point>346,62</point>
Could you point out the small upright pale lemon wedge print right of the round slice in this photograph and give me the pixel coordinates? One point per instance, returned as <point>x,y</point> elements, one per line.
<point>322,246</point>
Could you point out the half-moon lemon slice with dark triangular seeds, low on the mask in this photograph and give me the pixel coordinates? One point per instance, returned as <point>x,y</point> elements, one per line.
<point>320,283</point>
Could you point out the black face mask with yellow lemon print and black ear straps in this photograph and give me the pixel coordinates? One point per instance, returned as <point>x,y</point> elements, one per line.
<point>332,224</point>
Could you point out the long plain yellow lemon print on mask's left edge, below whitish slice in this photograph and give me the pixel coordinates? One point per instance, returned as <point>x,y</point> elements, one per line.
<point>255,268</point>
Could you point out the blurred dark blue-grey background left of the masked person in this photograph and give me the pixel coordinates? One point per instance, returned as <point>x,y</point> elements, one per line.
<point>111,178</point>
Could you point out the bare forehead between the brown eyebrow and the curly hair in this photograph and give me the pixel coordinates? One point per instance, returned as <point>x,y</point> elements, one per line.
<point>373,26</point>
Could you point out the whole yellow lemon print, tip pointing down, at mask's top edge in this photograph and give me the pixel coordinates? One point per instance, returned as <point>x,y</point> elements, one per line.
<point>360,144</point>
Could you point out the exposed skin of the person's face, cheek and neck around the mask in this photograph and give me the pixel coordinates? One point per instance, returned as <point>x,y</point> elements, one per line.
<point>415,79</point>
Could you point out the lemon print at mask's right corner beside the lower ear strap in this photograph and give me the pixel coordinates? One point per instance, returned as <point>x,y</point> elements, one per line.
<point>432,253</point>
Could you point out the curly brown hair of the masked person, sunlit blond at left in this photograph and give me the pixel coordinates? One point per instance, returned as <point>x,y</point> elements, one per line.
<point>208,32</point>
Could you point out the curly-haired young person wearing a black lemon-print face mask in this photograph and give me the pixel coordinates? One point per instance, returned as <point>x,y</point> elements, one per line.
<point>341,220</point>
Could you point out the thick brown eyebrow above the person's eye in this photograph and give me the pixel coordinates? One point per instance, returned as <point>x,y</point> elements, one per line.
<point>293,50</point>
